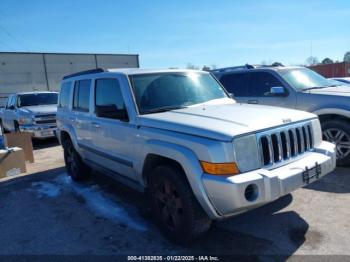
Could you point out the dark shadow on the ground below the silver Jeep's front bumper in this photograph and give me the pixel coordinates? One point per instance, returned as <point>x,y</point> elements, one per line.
<point>263,231</point>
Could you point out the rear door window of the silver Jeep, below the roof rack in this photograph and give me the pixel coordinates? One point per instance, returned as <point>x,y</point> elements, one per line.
<point>82,95</point>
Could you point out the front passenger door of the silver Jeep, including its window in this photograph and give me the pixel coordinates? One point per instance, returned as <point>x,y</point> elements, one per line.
<point>112,138</point>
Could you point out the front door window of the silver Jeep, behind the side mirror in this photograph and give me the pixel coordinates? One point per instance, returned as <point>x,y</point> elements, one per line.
<point>107,92</point>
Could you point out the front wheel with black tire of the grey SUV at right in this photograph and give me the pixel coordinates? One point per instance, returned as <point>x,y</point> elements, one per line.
<point>338,132</point>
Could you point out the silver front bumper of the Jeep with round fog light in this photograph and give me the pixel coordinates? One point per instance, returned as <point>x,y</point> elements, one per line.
<point>236,194</point>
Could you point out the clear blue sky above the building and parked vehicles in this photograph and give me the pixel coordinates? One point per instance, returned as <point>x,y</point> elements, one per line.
<point>176,33</point>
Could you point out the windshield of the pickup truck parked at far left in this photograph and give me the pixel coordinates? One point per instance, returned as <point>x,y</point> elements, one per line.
<point>37,99</point>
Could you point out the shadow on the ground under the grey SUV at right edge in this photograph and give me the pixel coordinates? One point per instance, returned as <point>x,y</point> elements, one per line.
<point>336,182</point>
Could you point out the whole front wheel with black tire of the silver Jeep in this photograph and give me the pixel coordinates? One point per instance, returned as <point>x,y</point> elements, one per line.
<point>174,207</point>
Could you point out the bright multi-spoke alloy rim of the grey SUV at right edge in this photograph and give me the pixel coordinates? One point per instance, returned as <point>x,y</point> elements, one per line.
<point>340,138</point>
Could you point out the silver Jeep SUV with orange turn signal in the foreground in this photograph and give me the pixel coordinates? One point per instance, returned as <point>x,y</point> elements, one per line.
<point>178,136</point>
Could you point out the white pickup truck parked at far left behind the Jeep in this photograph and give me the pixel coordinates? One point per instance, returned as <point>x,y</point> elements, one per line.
<point>33,112</point>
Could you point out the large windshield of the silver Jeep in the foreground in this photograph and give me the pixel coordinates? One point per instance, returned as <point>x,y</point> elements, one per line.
<point>166,91</point>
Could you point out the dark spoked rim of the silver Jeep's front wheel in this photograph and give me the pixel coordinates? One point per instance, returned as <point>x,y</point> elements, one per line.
<point>169,205</point>
